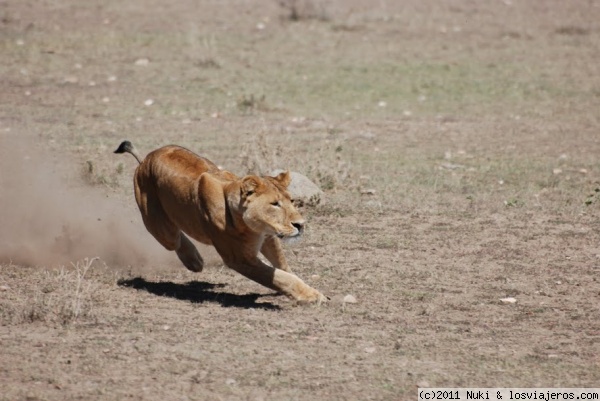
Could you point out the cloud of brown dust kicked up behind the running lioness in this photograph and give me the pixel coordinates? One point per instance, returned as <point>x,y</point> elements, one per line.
<point>49,220</point>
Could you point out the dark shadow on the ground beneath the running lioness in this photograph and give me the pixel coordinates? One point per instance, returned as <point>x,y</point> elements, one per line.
<point>198,292</point>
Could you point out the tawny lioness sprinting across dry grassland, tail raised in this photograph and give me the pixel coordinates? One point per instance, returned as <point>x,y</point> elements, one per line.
<point>180,192</point>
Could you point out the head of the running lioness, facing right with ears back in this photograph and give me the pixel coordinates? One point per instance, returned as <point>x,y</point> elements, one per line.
<point>268,208</point>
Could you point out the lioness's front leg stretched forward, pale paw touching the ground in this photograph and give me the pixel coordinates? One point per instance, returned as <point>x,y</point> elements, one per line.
<point>279,280</point>
